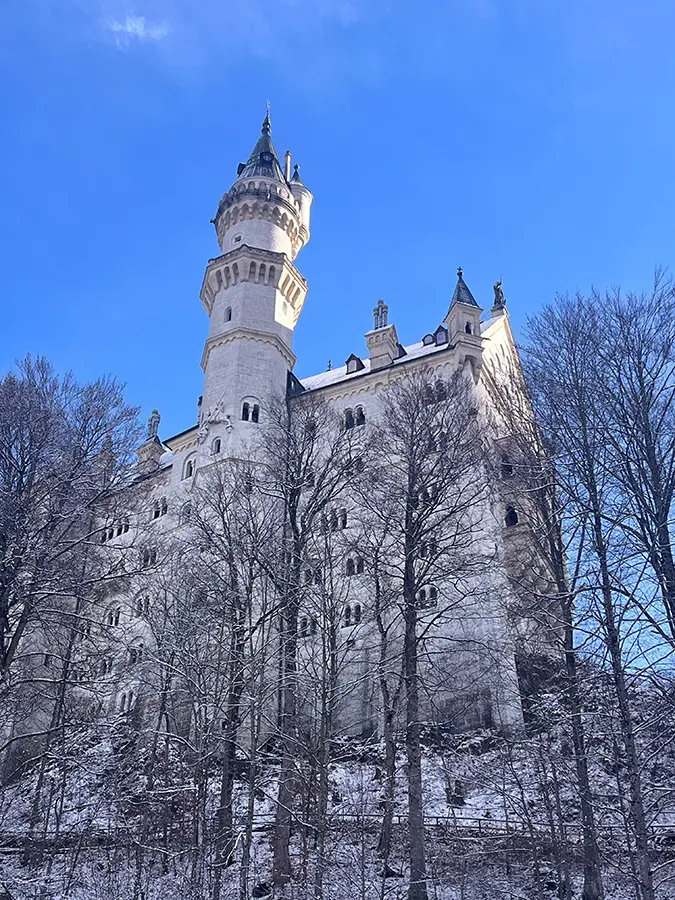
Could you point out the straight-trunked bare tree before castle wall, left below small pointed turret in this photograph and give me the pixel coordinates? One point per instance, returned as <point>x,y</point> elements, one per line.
<point>425,486</point>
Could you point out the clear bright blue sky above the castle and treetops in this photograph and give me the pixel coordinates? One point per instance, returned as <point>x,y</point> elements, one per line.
<point>528,139</point>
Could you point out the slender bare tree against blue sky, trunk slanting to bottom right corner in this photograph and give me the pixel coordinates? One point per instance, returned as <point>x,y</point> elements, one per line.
<point>561,358</point>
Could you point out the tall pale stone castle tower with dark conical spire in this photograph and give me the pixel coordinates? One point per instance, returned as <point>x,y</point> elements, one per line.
<point>253,294</point>
